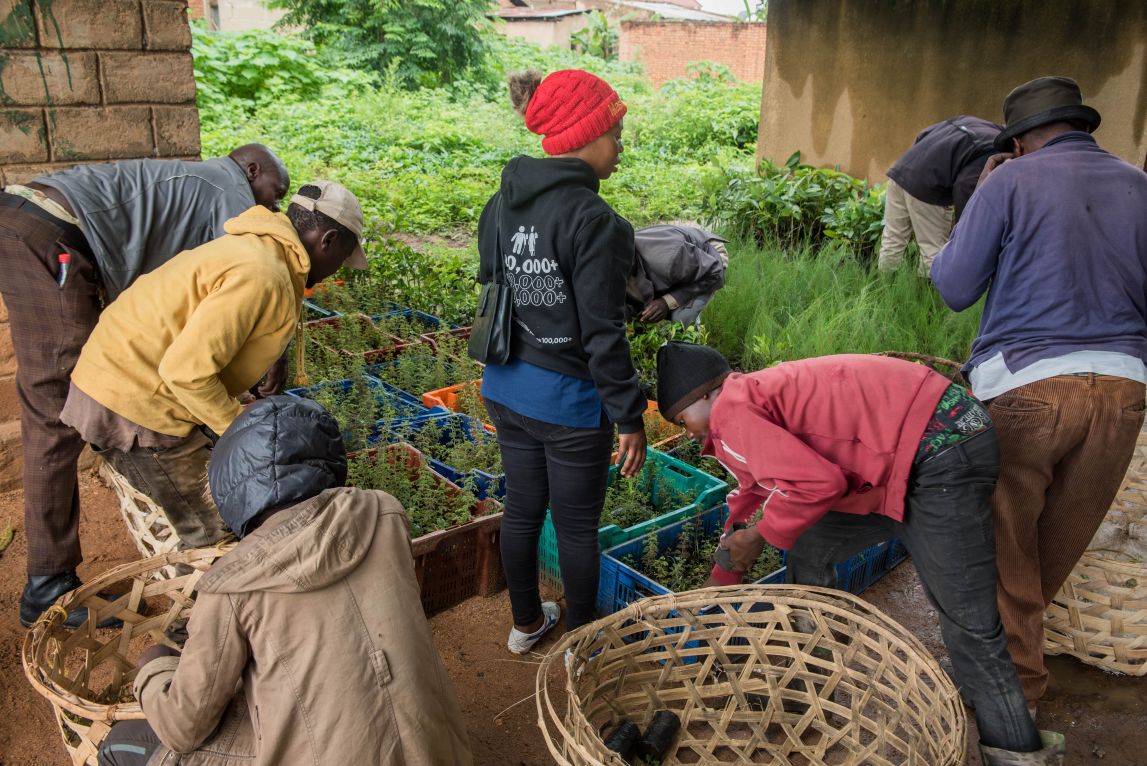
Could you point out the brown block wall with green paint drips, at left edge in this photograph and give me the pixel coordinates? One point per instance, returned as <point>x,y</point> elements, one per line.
<point>87,81</point>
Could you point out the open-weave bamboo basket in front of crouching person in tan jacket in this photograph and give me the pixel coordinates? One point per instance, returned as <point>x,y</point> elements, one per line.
<point>88,674</point>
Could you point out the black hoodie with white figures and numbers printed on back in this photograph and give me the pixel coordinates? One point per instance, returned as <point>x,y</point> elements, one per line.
<point>567,255</point>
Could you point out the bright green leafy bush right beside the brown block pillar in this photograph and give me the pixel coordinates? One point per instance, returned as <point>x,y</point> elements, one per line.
<point>247,71</point>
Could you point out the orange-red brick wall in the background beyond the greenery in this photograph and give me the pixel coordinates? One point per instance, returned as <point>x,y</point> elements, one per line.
<point>667,48</point>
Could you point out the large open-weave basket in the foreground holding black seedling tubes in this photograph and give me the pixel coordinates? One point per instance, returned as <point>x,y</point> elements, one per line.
<point>767,674</point>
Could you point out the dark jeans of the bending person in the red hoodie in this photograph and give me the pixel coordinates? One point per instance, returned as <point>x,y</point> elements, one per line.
<point>948,529</point>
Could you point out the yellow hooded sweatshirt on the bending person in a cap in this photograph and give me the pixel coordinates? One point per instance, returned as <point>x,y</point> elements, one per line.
<point>175,350</point>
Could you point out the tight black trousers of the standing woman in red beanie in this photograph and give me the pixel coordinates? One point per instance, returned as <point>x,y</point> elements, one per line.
<point>566,468</point>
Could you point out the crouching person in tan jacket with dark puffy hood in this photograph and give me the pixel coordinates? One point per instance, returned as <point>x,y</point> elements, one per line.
<point>307,644</point>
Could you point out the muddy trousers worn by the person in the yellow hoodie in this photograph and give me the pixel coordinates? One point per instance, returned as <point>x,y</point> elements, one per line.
<point>176,479</point>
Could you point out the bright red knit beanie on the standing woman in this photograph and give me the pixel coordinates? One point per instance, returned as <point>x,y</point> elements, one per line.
<point>571,110</point>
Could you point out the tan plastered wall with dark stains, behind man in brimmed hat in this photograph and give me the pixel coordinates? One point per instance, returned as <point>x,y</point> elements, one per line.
<point>851,83</point>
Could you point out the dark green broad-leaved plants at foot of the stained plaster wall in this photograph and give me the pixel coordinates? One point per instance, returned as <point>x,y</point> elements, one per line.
<point>795,205</point>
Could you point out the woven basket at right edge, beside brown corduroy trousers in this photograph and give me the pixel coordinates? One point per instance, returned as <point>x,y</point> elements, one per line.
<point>1101,614</point>
